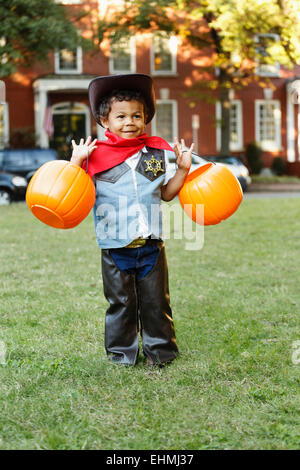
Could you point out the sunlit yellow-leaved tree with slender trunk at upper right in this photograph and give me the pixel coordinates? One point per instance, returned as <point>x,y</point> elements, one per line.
<point>229,28</point>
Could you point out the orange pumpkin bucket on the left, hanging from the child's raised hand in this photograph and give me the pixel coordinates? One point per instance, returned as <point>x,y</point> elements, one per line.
<point>60,194</point>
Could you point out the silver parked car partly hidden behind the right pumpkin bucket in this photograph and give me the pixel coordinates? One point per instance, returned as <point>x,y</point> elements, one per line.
<point>239,170</point>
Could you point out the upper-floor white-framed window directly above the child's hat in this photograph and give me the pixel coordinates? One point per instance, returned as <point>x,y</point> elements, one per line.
<point>122,55</point>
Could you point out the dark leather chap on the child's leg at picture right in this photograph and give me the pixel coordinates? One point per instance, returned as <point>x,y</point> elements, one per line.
<point>159,342</point>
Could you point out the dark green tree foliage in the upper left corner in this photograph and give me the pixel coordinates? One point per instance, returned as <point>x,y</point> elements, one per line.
<point>30,29</point>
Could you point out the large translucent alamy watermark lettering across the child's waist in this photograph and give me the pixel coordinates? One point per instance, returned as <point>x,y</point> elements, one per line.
<point>125,221</point>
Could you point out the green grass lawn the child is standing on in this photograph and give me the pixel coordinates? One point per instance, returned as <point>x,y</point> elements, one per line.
<point>236,309</point>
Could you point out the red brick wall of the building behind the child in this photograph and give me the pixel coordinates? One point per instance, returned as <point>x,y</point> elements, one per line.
<point>189,62</point>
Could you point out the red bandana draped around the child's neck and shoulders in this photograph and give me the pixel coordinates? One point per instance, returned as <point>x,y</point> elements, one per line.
<point>115,150</point>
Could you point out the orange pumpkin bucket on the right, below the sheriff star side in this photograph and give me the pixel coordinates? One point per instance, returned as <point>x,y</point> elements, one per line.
<point>216,188</point>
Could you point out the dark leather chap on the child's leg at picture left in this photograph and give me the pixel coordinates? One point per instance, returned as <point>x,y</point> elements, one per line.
<point>121,322</point>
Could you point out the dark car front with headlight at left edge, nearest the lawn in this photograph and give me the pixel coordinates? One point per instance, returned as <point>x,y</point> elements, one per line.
<point>12,188</point>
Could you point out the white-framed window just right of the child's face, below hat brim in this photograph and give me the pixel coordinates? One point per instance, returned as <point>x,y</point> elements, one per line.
<point>165,120</point>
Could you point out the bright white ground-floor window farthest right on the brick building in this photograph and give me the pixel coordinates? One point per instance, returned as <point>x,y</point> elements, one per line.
<point>268,124</point>
